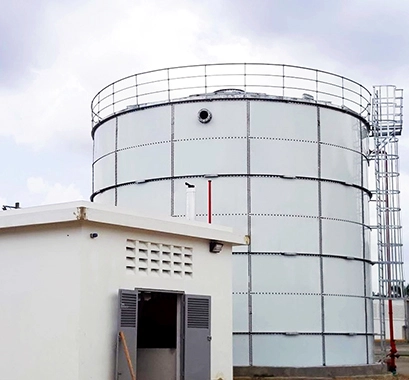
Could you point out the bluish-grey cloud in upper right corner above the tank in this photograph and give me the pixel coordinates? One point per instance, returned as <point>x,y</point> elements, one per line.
<point>347,31</point>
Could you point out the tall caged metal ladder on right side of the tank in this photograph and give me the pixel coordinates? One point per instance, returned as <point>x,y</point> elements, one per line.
<point>386,127</point>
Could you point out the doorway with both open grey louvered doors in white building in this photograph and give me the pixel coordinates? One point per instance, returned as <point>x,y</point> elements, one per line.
<point>166,335</point>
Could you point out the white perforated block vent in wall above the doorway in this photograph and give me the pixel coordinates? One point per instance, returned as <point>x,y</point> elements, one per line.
<point>155,259</point>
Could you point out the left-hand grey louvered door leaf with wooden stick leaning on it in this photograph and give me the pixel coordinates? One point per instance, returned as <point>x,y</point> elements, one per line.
<point>127,324</point>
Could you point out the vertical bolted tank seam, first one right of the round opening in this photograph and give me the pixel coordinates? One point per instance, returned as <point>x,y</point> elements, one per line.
<point>249,288</point>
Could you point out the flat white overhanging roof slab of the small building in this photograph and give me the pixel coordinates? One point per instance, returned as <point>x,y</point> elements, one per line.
<point>83,211</point>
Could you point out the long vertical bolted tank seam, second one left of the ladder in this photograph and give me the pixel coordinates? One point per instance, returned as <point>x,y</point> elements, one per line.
<point>320,235</point>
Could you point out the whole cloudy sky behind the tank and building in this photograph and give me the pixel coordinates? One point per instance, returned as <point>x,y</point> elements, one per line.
<point>56,55</point>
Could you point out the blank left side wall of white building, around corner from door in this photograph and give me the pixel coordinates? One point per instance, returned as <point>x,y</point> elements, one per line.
<point>40,304</point>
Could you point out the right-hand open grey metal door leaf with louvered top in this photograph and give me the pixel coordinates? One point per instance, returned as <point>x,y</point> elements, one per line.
<point>197,338</point>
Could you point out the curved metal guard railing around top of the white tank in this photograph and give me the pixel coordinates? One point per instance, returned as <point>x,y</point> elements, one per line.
<point>285,82</point>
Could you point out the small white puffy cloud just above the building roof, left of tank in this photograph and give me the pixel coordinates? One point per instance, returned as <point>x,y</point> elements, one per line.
<point>53,193</point>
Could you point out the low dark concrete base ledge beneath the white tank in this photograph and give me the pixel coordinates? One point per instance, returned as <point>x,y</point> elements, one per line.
<point>303,372</point>
